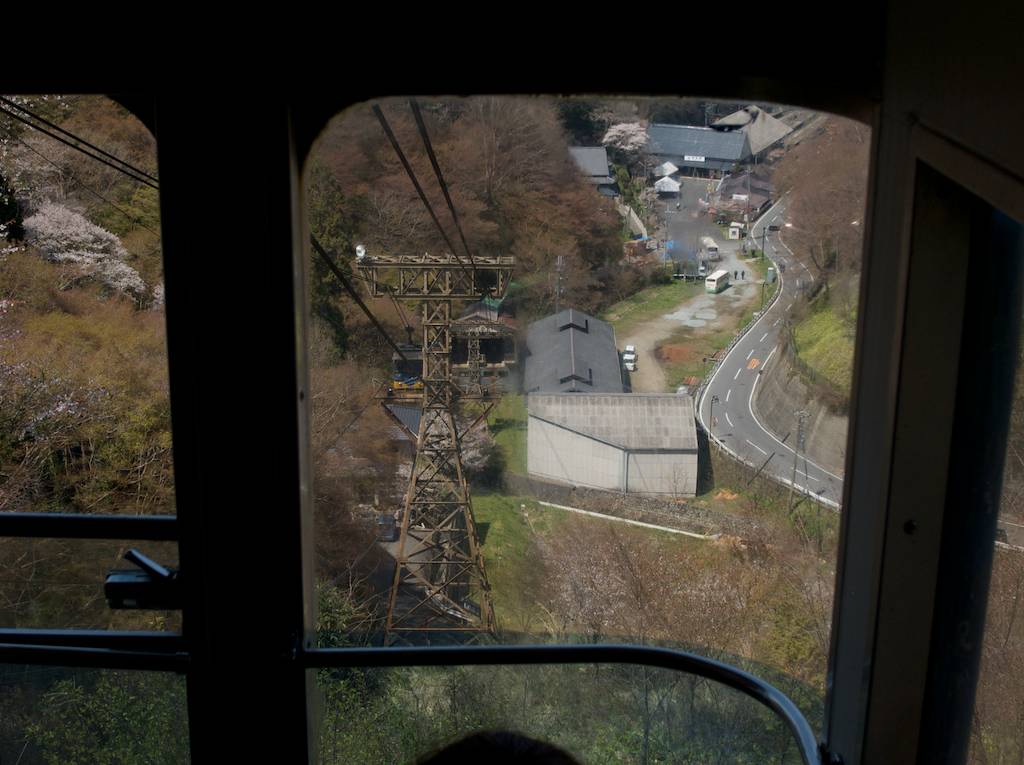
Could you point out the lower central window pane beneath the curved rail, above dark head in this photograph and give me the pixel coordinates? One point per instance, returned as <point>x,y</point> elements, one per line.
<point>643,715</point>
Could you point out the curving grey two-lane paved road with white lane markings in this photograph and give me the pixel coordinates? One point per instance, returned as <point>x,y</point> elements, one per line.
<point>735,423</point>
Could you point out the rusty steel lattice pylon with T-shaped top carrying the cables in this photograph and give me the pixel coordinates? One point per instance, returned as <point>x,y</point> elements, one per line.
<point>440,592</point>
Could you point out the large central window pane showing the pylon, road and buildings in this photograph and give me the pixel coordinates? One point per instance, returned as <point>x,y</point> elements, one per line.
<point>644,350</point>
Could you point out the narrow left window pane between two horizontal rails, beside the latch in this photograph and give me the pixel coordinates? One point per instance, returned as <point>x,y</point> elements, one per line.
<point>55,584</point>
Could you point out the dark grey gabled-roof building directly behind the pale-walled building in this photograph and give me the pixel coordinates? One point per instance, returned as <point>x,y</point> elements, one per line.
<point>572,352</point>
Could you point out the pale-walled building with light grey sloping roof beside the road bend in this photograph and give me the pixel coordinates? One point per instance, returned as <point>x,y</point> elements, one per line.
<point>643,444</point>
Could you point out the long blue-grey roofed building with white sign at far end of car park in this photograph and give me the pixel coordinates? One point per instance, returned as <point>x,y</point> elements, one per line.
<point>701,151</point>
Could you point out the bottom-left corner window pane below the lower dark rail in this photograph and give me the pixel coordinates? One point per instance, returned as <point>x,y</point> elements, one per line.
<point>57,714</point>
